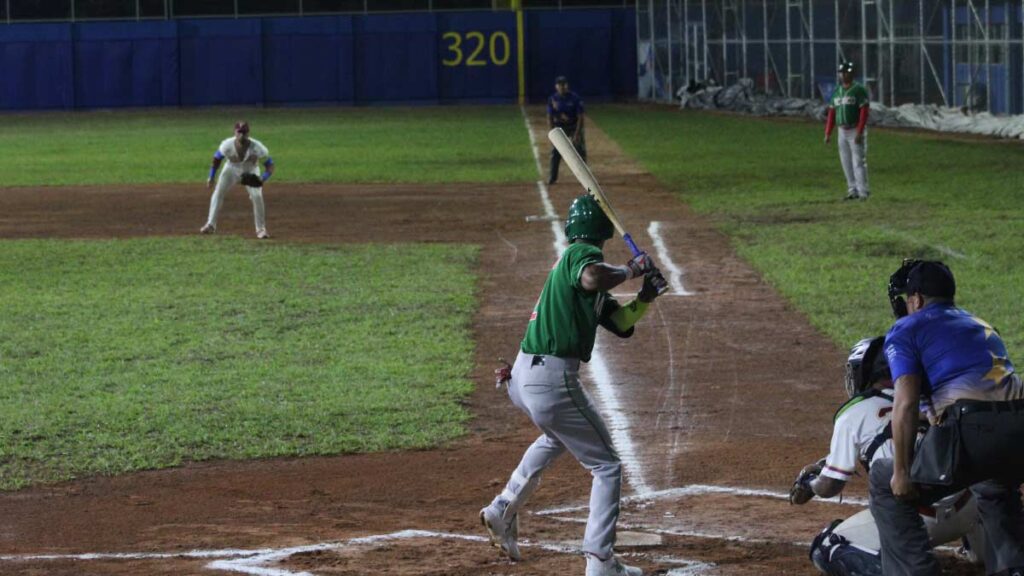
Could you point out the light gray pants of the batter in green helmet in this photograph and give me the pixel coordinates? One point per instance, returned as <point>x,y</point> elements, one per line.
<point>548,390</point>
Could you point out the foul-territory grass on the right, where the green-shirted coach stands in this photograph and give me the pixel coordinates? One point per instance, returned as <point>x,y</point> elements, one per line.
<point>777,189</point>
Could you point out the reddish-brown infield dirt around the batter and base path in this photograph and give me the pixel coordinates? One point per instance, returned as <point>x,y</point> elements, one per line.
<point>729,387</point>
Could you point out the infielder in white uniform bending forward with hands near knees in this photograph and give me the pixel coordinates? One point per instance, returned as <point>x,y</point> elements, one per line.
<point>244,155</point>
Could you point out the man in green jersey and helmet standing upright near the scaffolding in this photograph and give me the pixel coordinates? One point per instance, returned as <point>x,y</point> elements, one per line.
<point>849,107</point>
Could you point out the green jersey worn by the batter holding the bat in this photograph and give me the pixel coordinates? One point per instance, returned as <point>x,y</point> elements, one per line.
<point>566,318</point>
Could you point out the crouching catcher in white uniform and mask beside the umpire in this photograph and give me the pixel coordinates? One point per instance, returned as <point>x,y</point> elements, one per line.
<point>863,434</point>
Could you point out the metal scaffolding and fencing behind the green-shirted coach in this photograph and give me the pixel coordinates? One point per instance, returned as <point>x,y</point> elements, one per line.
<point>963,54</point>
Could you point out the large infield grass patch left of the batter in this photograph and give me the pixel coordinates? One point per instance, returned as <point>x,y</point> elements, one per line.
<point>127,355</point>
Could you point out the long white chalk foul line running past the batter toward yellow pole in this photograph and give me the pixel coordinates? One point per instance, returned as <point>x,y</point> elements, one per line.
<point>605,389</point>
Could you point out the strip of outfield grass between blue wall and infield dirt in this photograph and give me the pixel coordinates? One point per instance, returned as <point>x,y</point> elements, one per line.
<point>321,145</point>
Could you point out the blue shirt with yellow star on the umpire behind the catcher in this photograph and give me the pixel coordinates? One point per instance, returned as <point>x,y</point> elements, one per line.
<point>958,355</point>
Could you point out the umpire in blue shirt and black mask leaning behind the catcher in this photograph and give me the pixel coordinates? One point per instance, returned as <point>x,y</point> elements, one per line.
<point>953,367</point>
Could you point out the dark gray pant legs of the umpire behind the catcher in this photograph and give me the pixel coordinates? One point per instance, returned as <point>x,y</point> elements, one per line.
<point>906,551</point>
